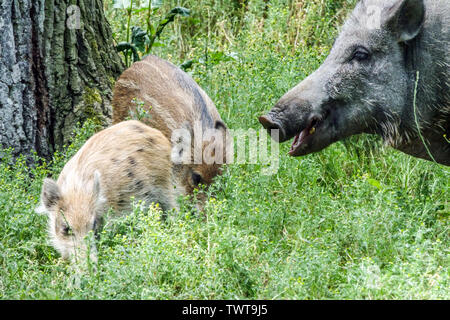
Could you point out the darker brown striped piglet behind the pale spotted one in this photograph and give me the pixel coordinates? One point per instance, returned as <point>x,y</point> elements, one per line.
<point>172,100</point>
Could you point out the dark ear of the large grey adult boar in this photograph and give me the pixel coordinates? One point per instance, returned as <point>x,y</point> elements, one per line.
<point>405,18</point>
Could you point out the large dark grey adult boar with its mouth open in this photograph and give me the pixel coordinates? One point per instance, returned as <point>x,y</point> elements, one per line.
<point>368,83</point>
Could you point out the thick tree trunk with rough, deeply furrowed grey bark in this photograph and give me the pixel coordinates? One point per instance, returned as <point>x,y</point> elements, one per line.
<point>58,65</point>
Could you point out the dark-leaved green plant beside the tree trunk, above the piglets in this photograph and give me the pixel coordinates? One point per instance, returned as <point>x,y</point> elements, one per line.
<point>142,41</point>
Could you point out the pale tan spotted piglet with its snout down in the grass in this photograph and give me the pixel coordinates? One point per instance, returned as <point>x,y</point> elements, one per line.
<point>127,160</point>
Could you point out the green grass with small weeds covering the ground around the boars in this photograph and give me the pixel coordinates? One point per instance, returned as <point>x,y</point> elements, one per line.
<point>355,221</point>
